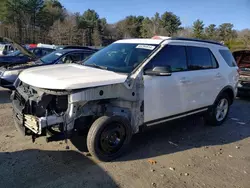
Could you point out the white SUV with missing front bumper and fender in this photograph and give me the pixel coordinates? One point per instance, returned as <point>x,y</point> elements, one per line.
<point>130,84</point>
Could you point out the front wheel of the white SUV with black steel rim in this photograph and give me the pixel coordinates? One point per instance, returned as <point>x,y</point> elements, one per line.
<point>106,131</point>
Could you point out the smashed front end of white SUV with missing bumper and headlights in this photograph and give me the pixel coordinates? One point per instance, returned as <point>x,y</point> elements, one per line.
<point>36,109</point>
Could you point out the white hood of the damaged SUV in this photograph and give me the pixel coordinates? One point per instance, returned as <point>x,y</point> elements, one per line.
<point>69,76</point>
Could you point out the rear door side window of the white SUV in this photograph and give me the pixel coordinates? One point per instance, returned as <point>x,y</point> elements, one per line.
<point>200,58</point>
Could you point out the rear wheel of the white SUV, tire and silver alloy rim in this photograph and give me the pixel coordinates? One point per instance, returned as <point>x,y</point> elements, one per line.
<point>219,111</point>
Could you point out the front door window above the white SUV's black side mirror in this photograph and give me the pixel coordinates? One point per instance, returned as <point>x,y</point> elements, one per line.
<point>170,56</point>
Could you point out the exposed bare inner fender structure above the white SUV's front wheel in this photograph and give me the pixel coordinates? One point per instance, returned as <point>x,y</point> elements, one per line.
<point>116,99</point>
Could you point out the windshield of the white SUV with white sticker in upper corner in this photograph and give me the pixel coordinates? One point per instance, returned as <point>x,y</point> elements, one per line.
<point>120,57</point>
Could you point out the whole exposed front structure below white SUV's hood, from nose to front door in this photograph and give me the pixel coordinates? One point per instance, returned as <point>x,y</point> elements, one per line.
<point>39,110</point>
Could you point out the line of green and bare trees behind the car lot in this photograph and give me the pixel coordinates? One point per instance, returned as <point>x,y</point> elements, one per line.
<point>48,21</point>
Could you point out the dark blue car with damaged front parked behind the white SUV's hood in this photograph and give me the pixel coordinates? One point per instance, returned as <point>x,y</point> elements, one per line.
<point>9,73</point>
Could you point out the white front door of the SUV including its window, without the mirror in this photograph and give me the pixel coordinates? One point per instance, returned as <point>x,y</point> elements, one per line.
<point>164,95</point>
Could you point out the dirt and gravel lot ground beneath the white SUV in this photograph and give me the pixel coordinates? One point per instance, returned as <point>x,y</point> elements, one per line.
<point>187,154</point>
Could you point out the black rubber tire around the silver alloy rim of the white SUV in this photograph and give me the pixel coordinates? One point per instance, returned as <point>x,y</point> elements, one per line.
<point>210,117</point>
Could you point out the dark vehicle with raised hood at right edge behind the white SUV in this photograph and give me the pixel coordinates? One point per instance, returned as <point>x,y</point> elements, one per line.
<point>243,61</point>
